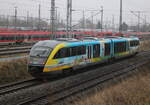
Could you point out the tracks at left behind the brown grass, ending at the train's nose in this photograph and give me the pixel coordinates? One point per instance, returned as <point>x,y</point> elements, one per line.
<point>14,50</point>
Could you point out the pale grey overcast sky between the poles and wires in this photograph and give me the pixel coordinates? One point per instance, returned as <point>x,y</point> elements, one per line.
<point>111,8</point>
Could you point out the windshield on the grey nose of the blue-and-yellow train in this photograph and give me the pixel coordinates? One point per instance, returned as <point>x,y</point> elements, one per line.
<point>40,51</point>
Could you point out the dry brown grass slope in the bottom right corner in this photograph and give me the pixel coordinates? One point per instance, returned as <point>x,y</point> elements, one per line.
<point>132,91</point>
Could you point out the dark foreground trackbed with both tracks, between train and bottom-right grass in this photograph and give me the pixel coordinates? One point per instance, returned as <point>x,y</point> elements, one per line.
<point>71,86</point>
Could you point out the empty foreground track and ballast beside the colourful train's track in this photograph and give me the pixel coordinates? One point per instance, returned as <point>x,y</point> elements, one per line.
<point>67,87</point>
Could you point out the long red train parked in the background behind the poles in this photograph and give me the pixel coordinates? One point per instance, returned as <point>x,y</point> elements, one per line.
<point>11,37</point>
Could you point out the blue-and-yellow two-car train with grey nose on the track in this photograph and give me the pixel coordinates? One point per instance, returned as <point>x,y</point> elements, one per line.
<point>52,57</point>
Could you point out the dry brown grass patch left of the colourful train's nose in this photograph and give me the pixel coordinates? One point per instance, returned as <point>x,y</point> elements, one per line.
<point>11,71</point>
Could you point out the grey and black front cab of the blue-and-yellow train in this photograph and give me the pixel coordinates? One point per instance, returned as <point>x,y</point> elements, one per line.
<point>39,55</point>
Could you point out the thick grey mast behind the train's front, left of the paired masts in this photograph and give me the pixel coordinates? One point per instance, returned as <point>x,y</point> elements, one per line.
<point>53,18</point>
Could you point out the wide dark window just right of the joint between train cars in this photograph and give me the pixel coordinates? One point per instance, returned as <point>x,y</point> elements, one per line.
<point>120,47</point>
